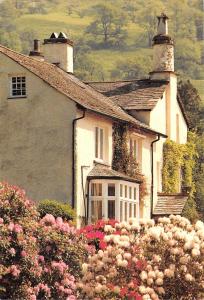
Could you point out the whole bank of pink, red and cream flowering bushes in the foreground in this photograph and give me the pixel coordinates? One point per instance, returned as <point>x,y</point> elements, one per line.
<point>49,259</point>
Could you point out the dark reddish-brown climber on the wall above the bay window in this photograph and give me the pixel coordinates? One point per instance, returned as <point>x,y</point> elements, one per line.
<point>123,160</point>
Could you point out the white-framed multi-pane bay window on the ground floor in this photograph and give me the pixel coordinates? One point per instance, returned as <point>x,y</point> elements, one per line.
<point>113,199</point>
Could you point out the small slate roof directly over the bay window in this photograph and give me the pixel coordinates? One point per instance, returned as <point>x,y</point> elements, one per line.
<point>101,171</point>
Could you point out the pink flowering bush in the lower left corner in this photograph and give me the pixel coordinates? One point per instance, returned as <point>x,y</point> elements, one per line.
<point>37,257</point>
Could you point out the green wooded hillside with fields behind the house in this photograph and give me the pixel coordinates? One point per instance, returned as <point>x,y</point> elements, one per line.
<point>128,52</point>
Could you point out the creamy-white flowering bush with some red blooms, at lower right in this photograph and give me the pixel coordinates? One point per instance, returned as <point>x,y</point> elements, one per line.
<point>147,261</point>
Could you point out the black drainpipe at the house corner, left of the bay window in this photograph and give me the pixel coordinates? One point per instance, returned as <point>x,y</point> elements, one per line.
<point>74,156</point>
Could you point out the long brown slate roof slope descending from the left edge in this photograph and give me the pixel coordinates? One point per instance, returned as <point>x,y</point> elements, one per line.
<point>72,87</point>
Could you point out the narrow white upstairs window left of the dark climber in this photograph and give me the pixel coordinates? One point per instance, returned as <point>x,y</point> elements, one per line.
<point>99,143</point>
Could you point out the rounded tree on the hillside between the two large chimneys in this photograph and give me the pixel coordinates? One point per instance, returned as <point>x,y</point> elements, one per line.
<point>108,25</point>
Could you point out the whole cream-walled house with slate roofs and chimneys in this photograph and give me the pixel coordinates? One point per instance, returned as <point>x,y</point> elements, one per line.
<point>57,132</point>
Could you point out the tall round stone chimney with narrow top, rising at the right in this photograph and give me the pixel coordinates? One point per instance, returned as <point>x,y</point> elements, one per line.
<point>163,49</point>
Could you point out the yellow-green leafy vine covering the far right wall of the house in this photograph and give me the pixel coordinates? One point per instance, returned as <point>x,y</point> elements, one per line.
<point>178,171</point>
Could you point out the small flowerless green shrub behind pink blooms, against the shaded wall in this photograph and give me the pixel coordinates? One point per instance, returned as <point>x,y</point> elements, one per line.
<point>56,209</point>
